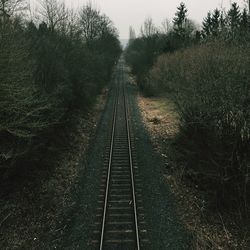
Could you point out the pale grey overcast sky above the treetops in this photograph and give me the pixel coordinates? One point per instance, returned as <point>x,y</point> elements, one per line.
<point>133,12</point>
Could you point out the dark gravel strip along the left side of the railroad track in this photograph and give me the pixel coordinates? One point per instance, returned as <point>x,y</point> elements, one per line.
<point>82,216</point>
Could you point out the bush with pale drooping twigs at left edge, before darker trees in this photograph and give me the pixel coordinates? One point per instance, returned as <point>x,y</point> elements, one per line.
<point>24,110</point>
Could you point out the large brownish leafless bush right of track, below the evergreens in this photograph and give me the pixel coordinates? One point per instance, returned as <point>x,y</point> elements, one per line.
<point>211,87</point>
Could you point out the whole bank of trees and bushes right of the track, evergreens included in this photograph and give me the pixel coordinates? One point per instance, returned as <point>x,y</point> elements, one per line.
<point>206,72</point>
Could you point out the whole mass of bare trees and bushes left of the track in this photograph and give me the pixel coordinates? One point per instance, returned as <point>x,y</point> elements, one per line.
<point>48,68</point>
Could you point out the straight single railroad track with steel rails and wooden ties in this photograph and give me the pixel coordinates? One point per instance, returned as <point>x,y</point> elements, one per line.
<point>120,218</point>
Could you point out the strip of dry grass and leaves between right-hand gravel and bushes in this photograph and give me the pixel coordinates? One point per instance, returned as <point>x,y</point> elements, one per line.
<point>210,230</point>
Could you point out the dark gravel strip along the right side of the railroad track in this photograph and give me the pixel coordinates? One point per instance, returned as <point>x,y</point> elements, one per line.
<point>167,231</point>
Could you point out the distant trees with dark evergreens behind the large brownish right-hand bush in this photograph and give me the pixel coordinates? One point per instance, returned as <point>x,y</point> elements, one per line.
<point>231,26</point>
